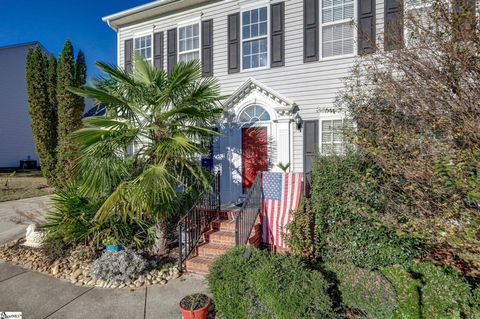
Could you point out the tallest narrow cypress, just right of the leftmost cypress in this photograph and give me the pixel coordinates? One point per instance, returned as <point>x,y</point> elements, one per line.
<point>69,115</point>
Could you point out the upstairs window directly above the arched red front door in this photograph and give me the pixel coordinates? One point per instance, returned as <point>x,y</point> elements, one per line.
<point>255,38</point>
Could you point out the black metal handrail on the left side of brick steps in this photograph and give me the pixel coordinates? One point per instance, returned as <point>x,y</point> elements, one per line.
<point>197,221</point>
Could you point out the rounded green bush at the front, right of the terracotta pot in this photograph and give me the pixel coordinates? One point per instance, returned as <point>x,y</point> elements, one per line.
<point>265,285</point>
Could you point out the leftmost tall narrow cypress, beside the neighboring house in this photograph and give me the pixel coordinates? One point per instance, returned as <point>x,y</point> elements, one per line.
<point>42,112</point>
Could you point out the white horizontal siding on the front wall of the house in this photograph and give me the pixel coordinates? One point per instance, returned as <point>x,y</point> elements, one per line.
<point>311,86</point>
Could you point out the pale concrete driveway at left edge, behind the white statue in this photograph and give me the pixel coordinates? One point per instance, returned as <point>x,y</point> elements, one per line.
<point>16,215</point>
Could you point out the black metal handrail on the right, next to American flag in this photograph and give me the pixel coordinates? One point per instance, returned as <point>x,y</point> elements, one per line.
<point>246,217</point>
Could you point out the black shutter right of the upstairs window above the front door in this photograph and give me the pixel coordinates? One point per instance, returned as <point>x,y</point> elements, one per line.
<point>277,34</point>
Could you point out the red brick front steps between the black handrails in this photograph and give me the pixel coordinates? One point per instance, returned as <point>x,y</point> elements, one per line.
<point>215,242</point>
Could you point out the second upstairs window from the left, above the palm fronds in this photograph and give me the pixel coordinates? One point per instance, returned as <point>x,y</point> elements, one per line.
<point>189,42</point>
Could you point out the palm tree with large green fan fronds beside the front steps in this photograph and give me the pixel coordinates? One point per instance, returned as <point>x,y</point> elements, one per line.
<point>146,148</point>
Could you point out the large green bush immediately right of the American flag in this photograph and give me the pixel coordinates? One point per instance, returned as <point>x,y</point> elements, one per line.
<point>338,223</point>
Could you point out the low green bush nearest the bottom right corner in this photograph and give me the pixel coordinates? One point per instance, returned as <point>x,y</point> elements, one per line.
<point>444,293</point>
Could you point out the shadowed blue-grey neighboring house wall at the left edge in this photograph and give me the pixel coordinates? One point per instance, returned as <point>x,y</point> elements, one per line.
<point>16,139</point>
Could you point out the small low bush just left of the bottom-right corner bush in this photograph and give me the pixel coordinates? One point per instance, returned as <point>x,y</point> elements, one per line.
<point>408,292</point>
